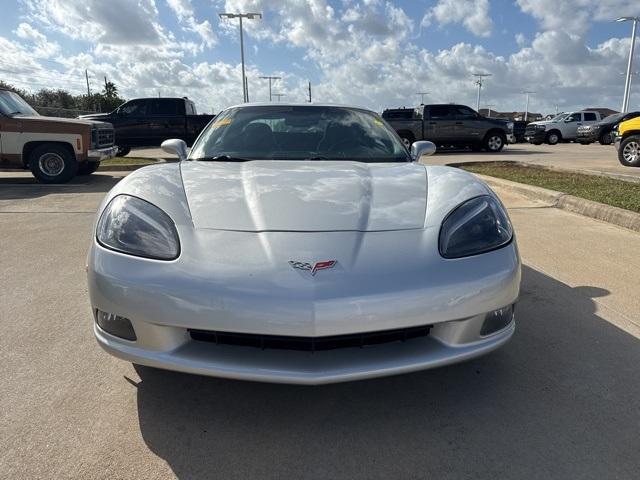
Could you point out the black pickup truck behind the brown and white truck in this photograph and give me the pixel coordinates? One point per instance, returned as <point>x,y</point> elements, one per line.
<point>147,122</point>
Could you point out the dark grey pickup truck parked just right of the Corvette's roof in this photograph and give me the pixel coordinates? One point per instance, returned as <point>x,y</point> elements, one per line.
<point>450,125</point>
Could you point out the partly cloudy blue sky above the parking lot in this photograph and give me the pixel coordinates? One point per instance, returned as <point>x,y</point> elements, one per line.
<point>371,53</point>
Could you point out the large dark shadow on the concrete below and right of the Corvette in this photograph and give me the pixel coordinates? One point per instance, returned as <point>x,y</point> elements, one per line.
<point>561,400</point>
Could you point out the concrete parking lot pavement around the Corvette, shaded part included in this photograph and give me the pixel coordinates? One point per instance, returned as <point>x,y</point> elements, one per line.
<point>561,400</point>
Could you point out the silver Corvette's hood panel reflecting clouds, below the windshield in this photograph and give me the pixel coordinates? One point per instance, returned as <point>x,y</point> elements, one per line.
<point>305,196</point>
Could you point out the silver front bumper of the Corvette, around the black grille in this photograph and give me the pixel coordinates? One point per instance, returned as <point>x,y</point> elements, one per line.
<point>371,292</point>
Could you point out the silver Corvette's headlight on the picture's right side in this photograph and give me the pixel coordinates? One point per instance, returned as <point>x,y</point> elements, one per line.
<point>478,225</point>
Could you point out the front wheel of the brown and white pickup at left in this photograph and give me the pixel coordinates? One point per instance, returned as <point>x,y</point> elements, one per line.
<point>53,163</point>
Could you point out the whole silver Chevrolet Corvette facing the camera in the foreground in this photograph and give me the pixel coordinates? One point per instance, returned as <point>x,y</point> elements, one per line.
<point>301,244</point>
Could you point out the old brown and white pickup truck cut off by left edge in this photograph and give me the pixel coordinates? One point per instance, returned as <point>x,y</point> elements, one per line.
<point>54,149</point>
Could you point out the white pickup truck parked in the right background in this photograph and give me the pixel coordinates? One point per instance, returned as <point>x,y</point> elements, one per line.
<point>562,127</point>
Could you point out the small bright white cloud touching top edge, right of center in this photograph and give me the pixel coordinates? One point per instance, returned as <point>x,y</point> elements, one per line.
<point>473,14</point>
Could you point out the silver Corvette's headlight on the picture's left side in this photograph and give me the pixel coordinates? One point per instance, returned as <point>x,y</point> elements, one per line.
<point>136,227</point>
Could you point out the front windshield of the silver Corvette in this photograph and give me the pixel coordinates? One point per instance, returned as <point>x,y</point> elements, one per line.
<point>299,133</point>
